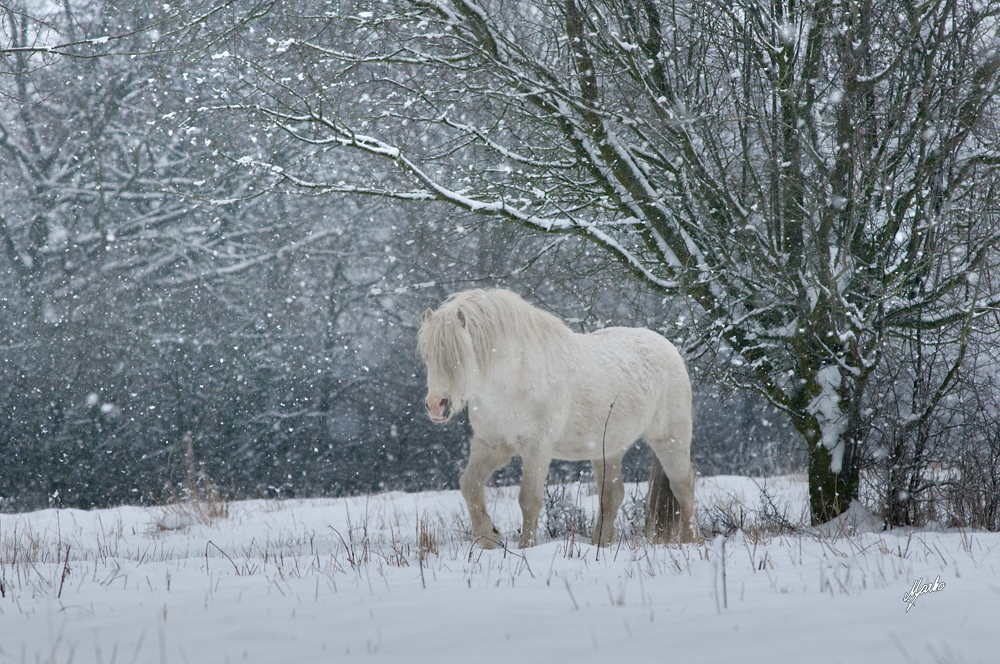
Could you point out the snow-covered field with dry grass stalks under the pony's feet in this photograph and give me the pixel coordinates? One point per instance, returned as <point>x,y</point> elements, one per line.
<point>392,577</point>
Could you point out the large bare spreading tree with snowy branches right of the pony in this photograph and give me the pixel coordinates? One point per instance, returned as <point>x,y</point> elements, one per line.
<point>816,178</point>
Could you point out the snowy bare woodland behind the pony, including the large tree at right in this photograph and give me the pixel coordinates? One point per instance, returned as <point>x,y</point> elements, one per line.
<point>221,221</point>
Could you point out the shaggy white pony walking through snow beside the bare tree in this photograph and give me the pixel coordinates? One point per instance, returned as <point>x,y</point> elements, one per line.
<point>536,389</point>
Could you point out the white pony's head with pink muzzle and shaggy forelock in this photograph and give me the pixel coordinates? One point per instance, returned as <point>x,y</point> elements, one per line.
<point>445,345</point>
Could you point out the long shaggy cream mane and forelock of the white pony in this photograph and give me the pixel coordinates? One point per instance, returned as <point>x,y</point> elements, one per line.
<point>483,324</point>
